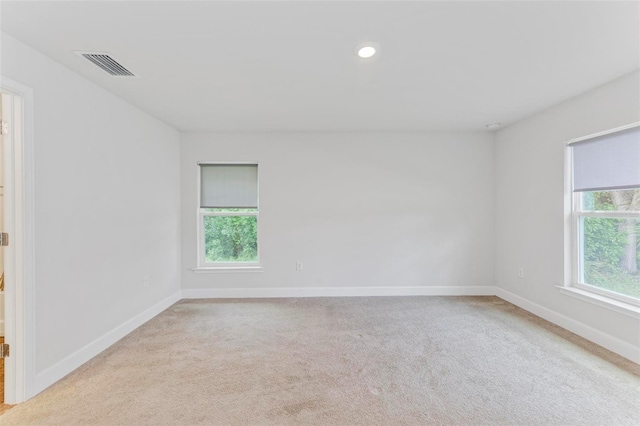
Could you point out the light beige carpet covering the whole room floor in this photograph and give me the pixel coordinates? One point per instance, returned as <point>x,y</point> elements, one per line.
<point>344,361</point>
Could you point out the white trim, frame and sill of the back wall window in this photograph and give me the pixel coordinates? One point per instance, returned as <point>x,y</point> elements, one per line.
<point>223,267</point>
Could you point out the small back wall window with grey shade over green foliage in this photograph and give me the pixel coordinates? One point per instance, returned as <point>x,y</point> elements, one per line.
<point>228,215</point>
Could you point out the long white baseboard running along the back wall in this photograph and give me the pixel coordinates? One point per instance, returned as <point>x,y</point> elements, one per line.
<point>243,293</point>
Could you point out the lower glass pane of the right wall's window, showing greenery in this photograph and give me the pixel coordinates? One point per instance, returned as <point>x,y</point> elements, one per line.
<point>610,254</point>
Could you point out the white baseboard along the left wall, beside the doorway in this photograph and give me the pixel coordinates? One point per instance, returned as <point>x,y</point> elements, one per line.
<point>56,372</point>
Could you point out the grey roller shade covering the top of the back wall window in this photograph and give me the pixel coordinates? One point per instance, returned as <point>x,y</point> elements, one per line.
<point>229,186</point>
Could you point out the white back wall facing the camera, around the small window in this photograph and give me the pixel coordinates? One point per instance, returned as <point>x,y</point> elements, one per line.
<point>360,210</point>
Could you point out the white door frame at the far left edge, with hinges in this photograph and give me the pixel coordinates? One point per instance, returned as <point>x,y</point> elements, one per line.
<point>18,169</point>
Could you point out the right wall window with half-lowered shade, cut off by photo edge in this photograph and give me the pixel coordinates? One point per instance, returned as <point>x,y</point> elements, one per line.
<point>606,214</point>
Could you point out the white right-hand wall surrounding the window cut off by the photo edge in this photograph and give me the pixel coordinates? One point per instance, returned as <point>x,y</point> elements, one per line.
<point>530,201</point>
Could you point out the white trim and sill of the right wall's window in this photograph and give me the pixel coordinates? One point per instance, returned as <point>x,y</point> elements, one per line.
<point>573,241</point>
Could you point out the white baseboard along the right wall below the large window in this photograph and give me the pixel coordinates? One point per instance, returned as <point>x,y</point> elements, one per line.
<point>598,337</point>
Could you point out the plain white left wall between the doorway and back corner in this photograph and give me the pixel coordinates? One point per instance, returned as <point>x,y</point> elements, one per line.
<point>106,206</point>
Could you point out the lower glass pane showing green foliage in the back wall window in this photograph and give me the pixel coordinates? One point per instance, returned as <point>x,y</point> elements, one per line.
<point>231,239</point>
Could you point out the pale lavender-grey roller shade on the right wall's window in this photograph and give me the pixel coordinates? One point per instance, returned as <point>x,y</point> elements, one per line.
<point>606,162</point>
